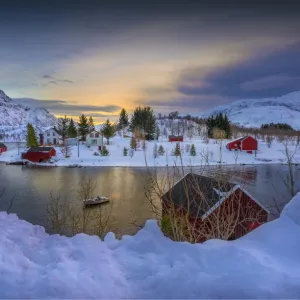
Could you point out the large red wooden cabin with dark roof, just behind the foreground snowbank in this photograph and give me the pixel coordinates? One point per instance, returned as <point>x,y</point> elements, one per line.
<point>210,201</point>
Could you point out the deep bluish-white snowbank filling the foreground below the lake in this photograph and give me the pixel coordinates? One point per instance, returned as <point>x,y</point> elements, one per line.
<point>263,264</point>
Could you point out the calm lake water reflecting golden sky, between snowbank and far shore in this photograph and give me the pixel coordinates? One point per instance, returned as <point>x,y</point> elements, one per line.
<point>30,187</point>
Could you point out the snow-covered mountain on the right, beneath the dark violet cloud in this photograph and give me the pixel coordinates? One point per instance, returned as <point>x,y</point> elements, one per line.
<point>254,113</point>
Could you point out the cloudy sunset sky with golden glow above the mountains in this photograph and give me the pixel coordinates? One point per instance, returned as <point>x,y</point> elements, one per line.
<point>95,57</point>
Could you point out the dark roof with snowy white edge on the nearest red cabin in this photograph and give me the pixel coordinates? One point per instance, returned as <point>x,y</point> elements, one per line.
<point>202,194</point>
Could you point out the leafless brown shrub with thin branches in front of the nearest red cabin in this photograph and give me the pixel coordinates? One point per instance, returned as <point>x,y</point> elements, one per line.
<point>180,221</point>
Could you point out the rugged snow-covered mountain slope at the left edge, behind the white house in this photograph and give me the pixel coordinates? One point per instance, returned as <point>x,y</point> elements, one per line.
<point>14,118</point>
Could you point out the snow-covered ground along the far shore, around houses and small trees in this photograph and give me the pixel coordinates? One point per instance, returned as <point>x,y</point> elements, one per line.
<point>206,154</point>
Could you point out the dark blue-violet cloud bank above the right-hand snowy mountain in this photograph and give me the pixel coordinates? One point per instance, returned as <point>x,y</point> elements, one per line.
<point>265,75</point>
